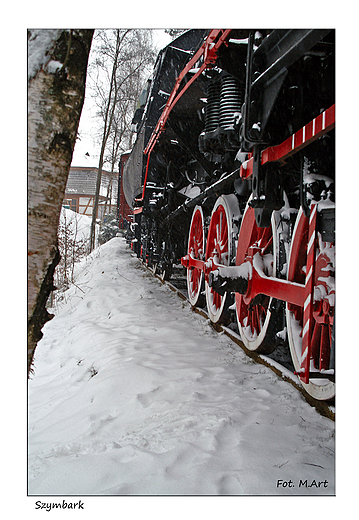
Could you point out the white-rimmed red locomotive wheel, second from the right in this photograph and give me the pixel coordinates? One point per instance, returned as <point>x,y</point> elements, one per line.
<point>253,320</point>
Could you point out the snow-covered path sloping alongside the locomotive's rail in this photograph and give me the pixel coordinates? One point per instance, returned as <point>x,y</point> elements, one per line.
<point>135,394</point>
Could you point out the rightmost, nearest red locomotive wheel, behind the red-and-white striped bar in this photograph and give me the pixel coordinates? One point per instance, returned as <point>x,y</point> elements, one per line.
<point>320,335</point>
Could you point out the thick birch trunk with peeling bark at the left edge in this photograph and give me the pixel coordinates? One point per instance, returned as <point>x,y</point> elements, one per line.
<point>57,64</point>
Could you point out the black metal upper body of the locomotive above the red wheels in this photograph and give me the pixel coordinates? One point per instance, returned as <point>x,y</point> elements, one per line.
<point>264,85</point>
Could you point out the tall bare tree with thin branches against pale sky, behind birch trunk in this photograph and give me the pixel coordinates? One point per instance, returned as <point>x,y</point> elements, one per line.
<point>127,54</point>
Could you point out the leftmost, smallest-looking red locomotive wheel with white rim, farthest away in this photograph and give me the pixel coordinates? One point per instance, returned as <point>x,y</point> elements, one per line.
<point>196,249</point>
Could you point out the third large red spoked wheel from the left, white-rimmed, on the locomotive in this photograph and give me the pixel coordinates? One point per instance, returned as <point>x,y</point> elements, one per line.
<point>254,317</point>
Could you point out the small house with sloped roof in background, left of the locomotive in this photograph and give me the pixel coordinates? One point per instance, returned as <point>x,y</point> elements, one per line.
<point>81,187</point>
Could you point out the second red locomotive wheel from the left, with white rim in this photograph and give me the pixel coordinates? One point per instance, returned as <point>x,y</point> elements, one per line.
<point>219,246</point>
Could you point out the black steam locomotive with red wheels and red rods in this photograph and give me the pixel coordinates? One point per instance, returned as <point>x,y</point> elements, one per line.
<point>232,175</point>
